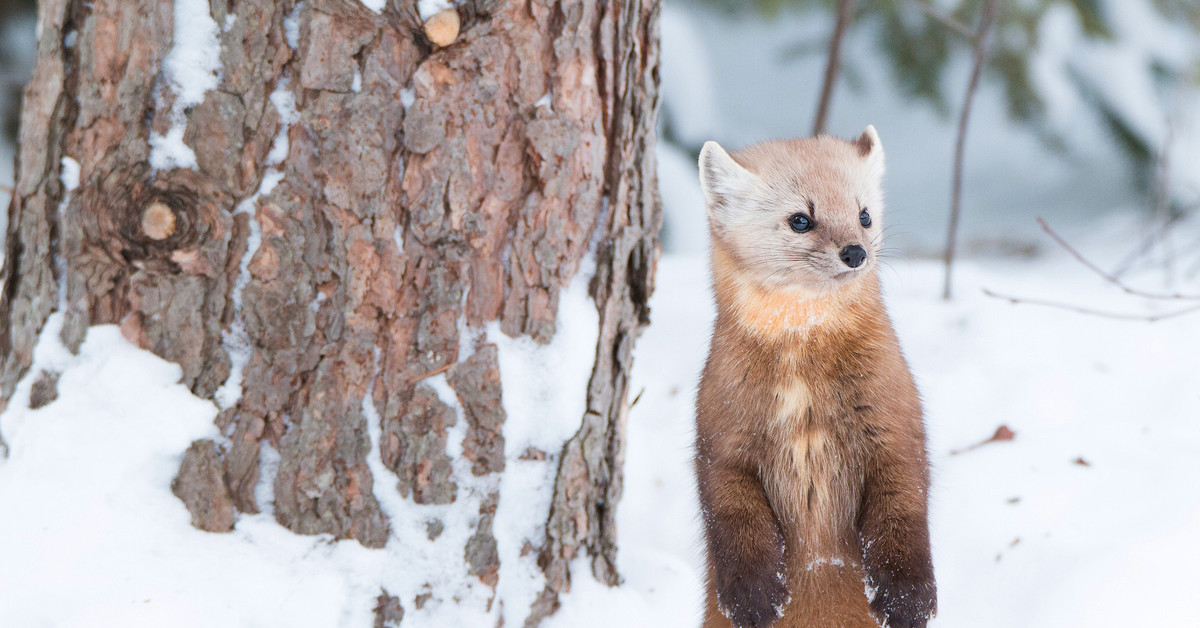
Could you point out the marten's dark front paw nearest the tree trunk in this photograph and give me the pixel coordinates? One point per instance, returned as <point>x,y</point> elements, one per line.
<point>752,599</point>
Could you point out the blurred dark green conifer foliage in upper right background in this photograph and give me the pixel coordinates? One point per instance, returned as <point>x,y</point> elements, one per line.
<point>919,50</point>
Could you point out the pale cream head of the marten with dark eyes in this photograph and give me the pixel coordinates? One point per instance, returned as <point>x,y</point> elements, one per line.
<point>796,216</point>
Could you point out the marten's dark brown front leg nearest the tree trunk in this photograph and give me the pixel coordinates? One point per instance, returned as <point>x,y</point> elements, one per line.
<point>746,548</point>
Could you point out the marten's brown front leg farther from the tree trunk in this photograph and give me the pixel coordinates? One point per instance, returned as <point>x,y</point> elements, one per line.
<point>895,531</point>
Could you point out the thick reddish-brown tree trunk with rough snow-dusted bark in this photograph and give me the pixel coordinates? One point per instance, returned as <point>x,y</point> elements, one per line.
<point>328,220</point>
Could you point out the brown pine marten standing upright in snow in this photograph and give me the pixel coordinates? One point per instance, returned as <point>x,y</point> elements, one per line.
<point>811,444</point>
